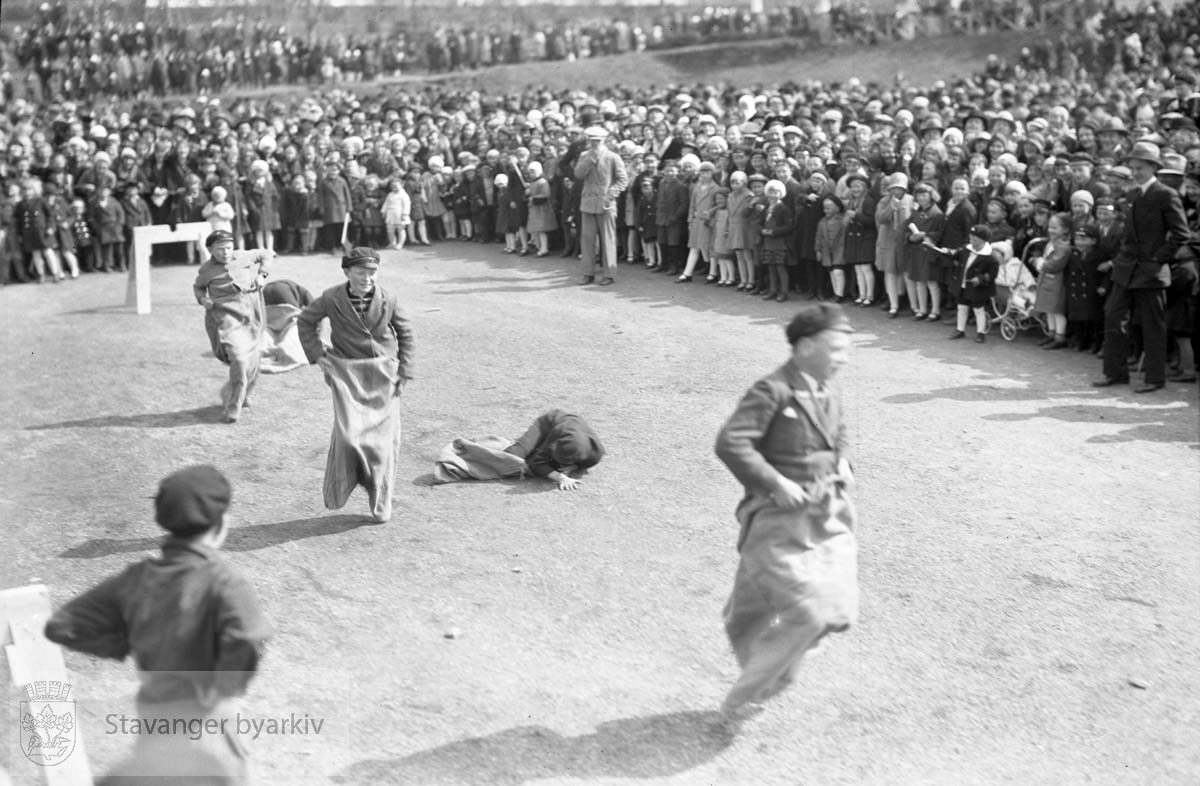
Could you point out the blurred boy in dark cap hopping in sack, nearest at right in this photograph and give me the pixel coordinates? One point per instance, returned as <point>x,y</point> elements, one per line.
<point>797,577</point>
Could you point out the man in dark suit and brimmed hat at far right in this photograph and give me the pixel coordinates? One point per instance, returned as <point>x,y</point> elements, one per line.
<point>1155,230</point>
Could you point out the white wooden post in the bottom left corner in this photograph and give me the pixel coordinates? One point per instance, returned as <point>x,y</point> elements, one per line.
<point>31,658</point>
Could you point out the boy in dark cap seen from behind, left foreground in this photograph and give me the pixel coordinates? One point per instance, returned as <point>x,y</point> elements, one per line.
<point>194,627</point>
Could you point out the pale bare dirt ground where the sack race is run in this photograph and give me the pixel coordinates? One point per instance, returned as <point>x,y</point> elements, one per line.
<point>1029,543</point>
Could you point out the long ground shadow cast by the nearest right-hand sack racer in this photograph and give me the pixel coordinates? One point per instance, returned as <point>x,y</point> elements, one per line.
<point>652,747</point>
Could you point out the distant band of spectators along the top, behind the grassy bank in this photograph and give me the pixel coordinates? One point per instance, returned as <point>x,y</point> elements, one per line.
<point>88,51</point>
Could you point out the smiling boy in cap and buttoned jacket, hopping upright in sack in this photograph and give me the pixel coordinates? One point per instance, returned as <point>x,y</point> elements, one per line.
<point>368,364</point>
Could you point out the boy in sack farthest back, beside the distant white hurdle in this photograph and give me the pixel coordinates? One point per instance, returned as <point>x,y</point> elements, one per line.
<point>230,286</point>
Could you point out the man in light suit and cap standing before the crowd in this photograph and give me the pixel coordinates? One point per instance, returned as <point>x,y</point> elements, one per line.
<point>604,178</point>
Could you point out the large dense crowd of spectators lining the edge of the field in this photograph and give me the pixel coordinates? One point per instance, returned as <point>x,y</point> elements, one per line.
<point>869,194</point>
